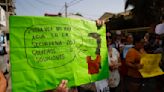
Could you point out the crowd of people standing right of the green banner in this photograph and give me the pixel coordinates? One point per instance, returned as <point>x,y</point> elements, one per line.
<point>124,52</point>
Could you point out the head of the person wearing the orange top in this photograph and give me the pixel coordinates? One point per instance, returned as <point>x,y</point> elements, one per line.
<point>138,42</point>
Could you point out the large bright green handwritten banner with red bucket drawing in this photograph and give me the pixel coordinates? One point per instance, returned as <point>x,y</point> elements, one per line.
<point>45,50</point>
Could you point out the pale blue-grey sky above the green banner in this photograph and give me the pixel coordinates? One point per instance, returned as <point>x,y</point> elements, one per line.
<point>92,9</point>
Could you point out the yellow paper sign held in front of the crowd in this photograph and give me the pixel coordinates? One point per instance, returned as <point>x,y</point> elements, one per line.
<point>151,65</point>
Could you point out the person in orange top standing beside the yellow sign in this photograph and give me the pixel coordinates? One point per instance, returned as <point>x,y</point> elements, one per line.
<point>133,56</point>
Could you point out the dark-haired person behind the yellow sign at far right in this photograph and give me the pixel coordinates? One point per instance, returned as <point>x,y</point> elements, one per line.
<point>154,46</point>
